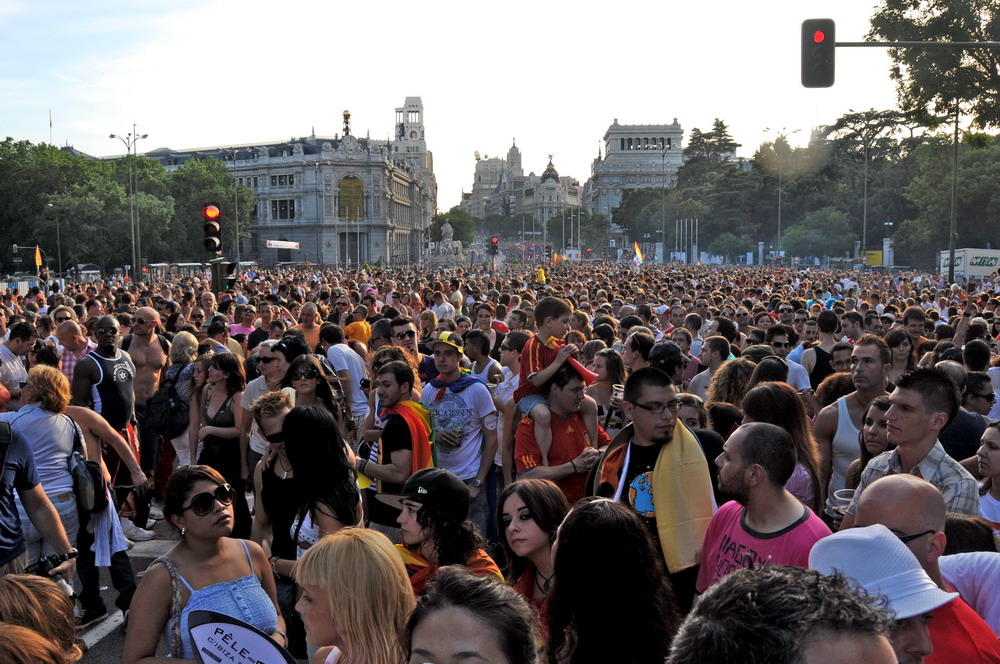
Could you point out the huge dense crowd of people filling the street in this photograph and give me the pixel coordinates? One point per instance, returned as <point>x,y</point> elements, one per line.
<point>584,463</point>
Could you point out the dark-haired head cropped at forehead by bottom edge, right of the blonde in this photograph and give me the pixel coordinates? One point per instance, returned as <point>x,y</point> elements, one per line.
<point>465,617</point>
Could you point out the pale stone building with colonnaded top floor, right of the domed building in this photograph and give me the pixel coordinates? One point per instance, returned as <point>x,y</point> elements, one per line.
<point>635,156</point>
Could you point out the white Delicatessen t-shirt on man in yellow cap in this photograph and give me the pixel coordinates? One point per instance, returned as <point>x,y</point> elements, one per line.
<point>471,411</point>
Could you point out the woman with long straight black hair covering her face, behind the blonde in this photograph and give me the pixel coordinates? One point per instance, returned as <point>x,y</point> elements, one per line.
<point>318,454</point>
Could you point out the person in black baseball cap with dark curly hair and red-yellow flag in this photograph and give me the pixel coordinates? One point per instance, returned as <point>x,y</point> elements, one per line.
<point>435,528</point>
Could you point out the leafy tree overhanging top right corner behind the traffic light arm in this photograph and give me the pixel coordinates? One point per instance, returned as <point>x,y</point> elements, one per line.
<point>929,80</point>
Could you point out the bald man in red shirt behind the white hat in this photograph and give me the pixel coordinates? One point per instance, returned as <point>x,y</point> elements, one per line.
<point>914,510</point>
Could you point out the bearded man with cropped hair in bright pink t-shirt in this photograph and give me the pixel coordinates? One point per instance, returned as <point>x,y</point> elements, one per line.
<point>765,523</point>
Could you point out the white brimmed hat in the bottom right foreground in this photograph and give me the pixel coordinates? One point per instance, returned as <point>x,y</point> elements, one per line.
<point>882,565</point>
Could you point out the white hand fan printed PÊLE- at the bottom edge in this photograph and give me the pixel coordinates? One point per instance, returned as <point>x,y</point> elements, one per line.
<point>220,638</point>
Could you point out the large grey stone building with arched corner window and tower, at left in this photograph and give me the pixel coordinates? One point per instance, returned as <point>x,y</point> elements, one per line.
<point>342,198</point>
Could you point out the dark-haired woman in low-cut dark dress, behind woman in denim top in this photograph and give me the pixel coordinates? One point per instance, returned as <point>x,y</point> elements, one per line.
<point>219,430</point>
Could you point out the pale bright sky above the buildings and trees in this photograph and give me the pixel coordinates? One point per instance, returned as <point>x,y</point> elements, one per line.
<point>552,75</point>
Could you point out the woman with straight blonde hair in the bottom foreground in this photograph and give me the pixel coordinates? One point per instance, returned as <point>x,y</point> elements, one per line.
<point>355,599</point>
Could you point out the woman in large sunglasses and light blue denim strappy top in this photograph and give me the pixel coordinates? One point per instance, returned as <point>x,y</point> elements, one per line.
<point>206,569</point>
